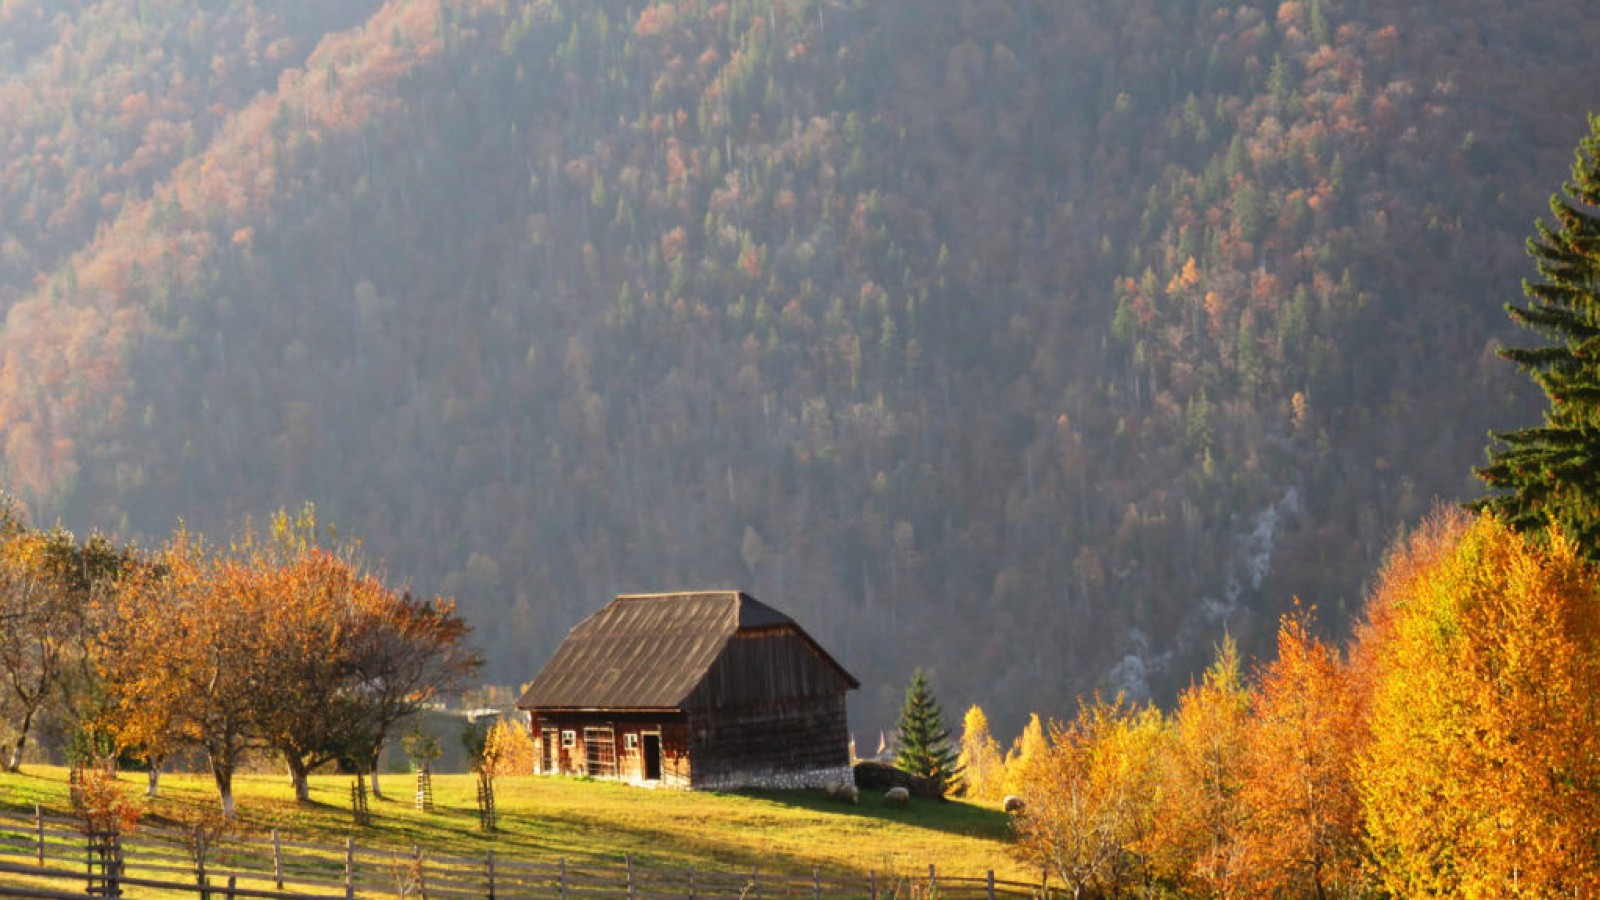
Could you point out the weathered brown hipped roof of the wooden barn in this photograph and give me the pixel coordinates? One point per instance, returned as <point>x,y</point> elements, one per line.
<point>650,651</point>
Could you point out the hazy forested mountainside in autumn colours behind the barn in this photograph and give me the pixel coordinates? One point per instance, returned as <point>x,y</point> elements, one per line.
<point>1031,342</point>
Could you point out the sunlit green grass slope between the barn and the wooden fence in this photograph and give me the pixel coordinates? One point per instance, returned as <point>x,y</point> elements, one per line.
<point>545,819</point>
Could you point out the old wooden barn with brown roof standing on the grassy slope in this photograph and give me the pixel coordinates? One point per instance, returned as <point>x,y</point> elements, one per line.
<point>708,691</point>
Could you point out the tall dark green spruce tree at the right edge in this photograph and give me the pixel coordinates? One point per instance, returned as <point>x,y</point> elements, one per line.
<point>1551,475</point>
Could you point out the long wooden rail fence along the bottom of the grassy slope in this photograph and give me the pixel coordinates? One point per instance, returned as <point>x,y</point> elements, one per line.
<point>49,858</point>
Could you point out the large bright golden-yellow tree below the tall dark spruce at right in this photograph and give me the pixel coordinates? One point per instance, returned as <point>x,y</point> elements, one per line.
<point>1482,776</point>
